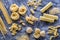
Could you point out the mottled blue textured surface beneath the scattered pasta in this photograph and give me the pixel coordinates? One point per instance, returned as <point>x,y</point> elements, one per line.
<point>39,24</point>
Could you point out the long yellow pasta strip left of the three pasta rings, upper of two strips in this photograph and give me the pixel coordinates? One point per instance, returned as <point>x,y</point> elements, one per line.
<point>5,13</point>
